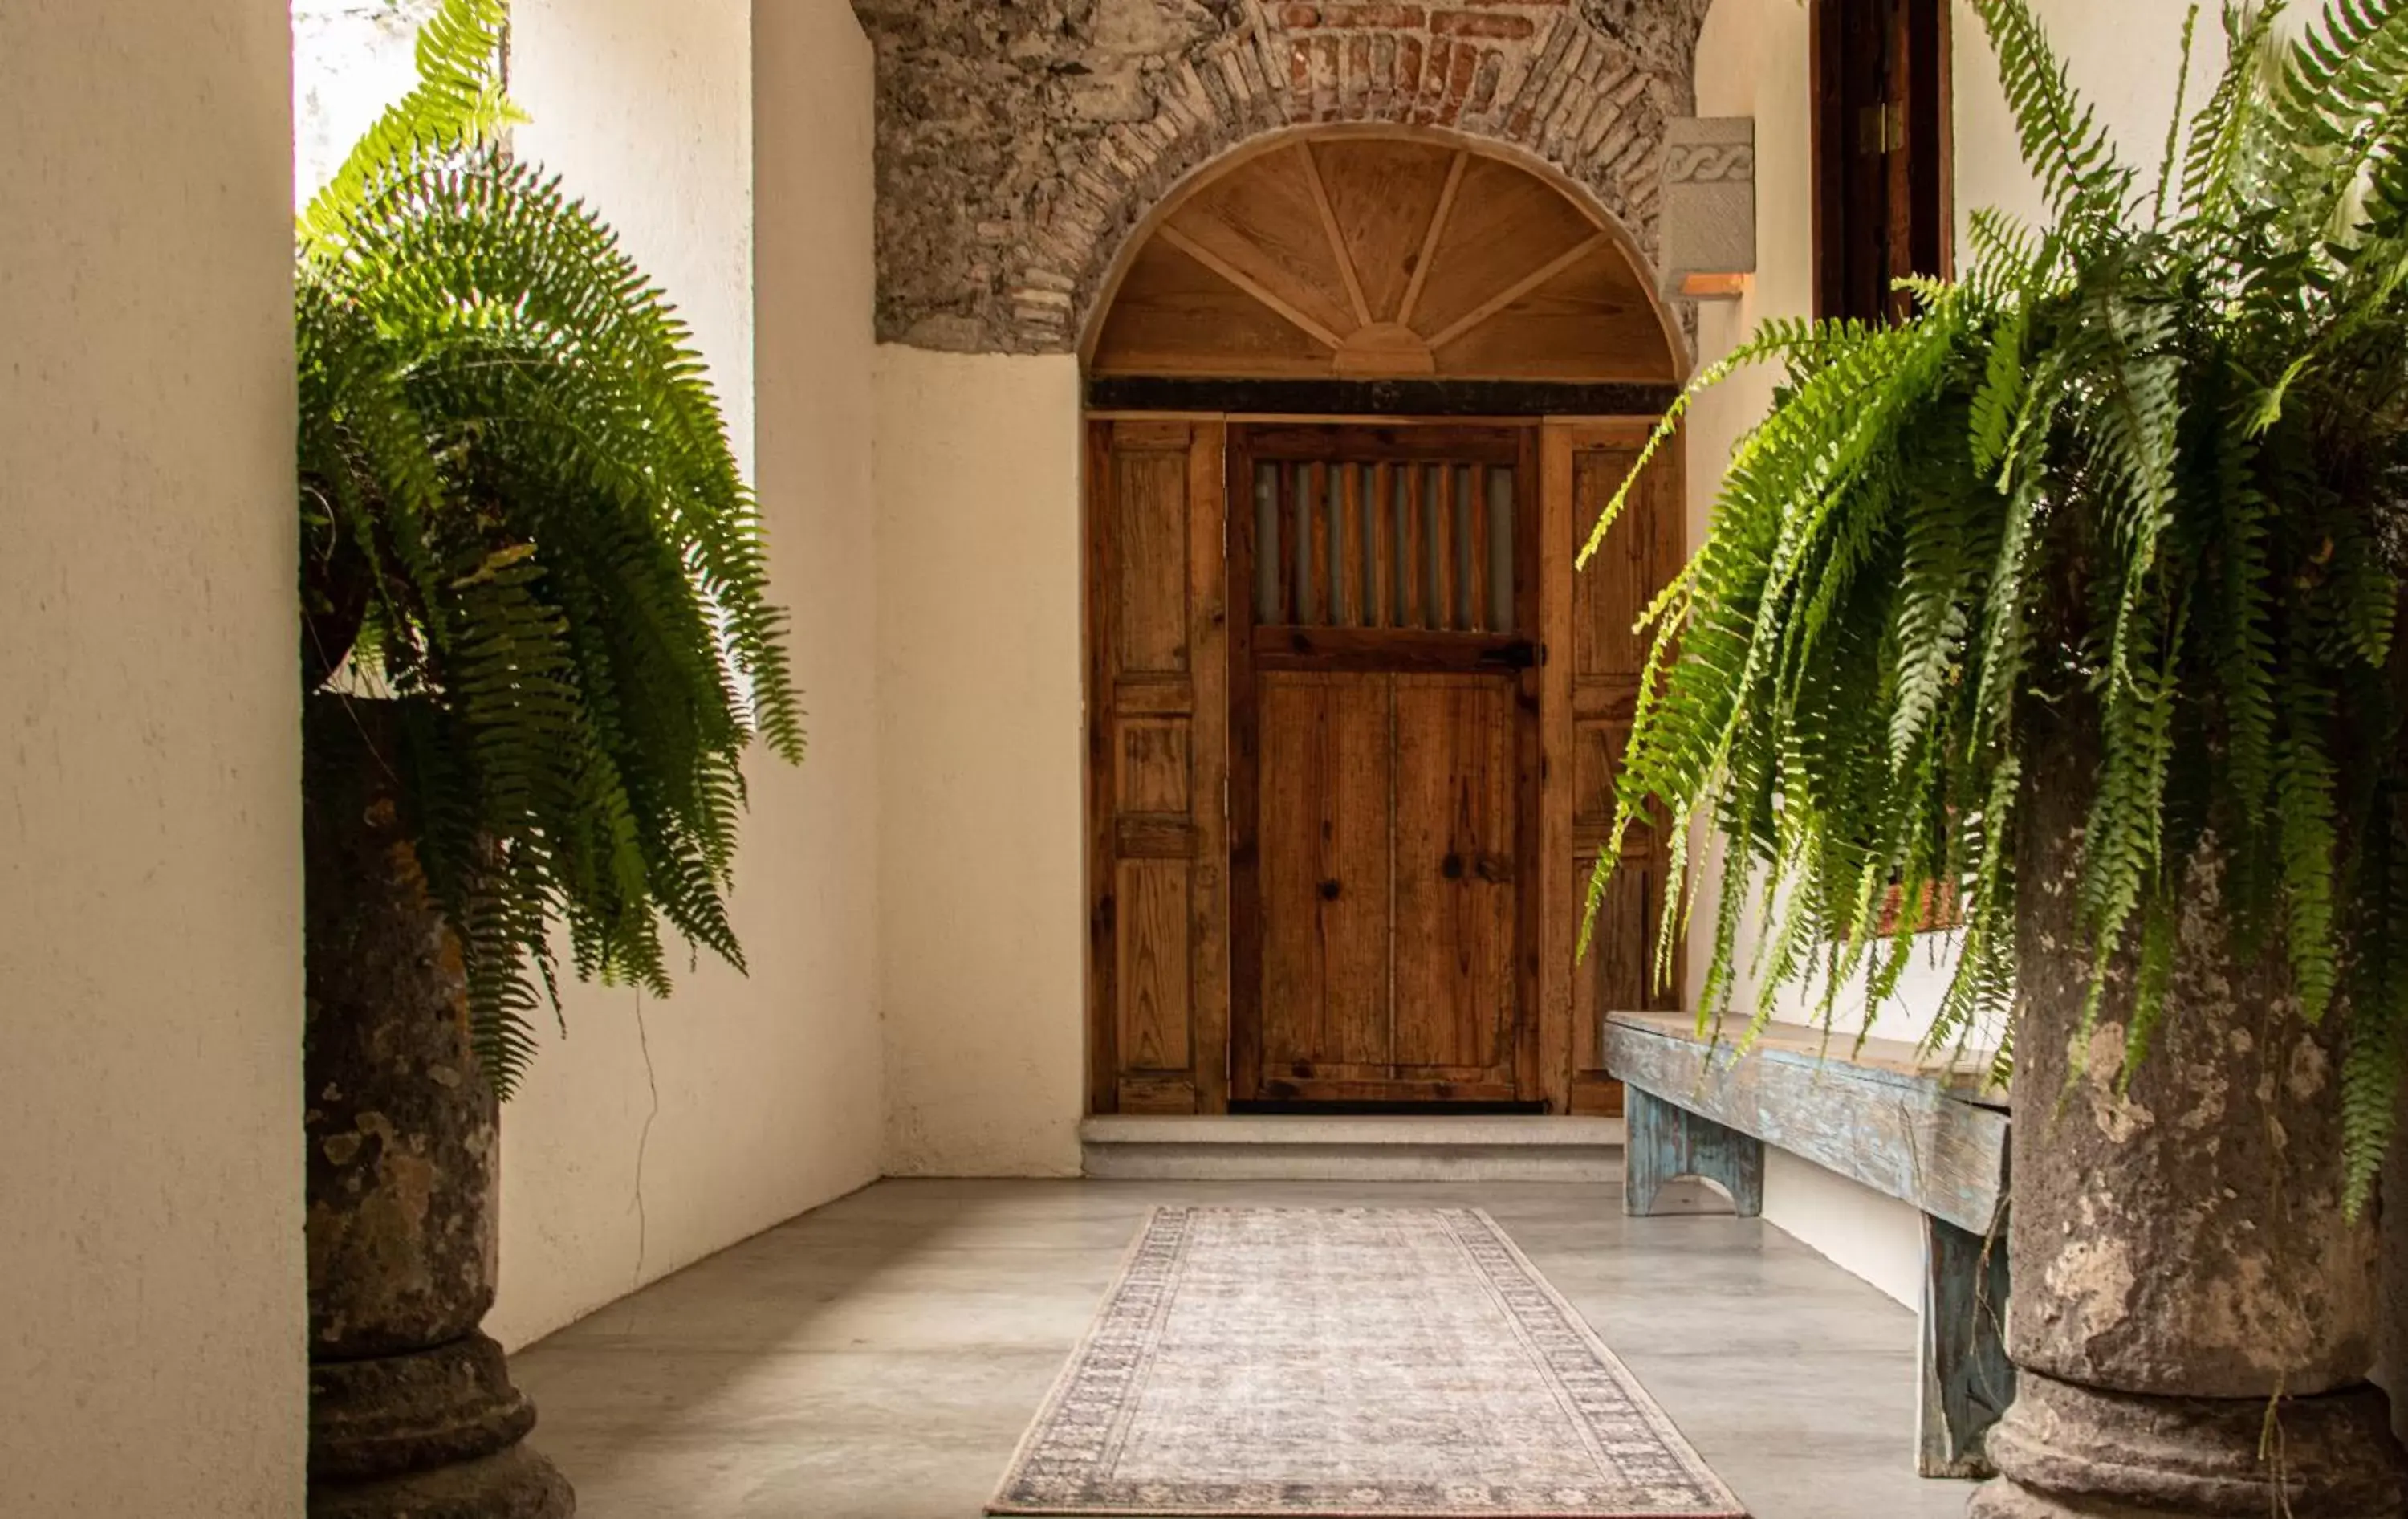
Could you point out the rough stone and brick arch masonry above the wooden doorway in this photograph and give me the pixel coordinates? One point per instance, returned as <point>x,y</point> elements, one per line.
<point>1022,141</point>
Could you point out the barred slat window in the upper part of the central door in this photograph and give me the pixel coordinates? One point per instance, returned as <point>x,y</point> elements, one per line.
<point>1403,545</point>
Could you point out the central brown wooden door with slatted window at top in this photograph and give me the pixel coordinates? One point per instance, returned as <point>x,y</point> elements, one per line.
<point>1383,805</point>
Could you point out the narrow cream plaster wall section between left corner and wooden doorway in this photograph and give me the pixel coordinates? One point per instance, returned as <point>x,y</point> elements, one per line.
<point>981,902</point>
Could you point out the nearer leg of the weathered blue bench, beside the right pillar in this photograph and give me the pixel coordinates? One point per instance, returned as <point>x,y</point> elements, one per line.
<point>1966,1376</point>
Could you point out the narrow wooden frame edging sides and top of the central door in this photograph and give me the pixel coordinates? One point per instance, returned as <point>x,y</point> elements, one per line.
<point>1521,451</point>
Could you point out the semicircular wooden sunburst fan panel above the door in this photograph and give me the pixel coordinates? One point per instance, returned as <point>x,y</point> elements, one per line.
<point>1383,259</point>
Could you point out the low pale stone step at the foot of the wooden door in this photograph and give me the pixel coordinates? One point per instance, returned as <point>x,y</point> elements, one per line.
<point>1354,1149</point>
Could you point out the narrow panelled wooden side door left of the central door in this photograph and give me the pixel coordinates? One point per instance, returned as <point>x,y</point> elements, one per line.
<point>1157,767</point>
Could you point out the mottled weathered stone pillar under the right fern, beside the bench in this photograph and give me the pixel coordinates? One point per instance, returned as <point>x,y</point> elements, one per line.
<point>2192,1316</point>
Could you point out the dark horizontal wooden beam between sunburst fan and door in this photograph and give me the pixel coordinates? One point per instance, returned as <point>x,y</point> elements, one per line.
<point>1376,398</point>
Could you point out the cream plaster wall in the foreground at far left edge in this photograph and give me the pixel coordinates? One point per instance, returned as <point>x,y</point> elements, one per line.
<point>150,784</point>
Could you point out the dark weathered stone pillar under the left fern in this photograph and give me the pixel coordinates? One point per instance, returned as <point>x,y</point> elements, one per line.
<point>413,1412</point>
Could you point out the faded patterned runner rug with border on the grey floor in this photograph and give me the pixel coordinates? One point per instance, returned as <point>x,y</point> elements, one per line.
<point>1350,1364</point>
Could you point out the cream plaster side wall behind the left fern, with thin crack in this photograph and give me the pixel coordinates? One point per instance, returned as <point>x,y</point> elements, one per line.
<point>656,1135</point>
